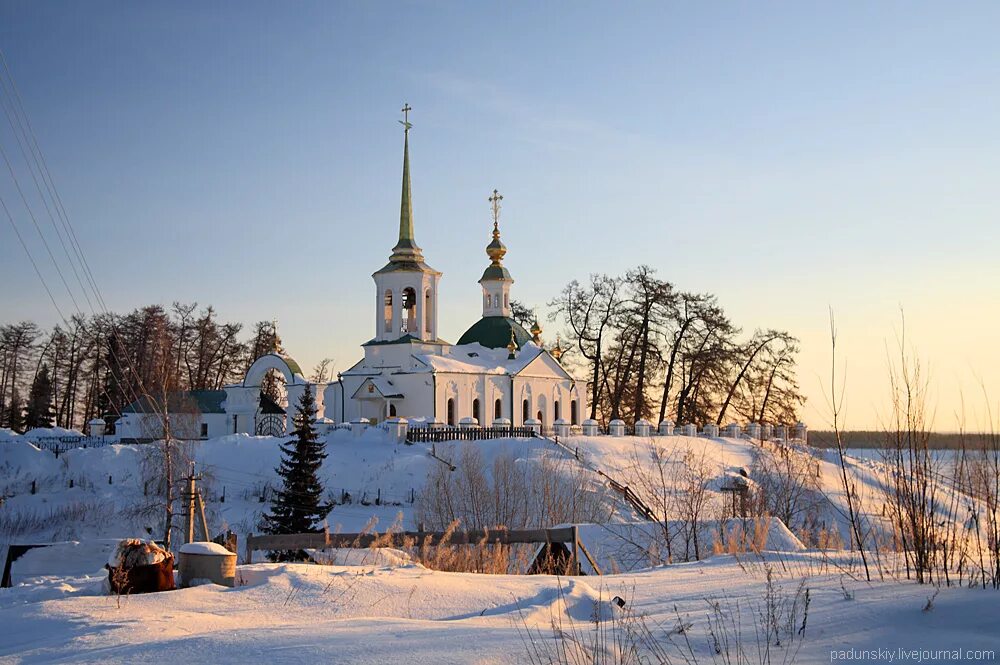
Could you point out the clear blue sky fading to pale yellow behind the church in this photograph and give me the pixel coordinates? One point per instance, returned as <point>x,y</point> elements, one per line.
<point>788,157</point>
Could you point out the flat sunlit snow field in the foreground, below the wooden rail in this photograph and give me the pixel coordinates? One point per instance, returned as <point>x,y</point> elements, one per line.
<point>407,614</point>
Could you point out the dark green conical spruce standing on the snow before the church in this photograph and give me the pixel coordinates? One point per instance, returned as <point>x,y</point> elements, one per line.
<point>298,507</point>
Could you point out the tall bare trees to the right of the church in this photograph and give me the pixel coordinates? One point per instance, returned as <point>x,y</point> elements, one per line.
<point>652,351</point>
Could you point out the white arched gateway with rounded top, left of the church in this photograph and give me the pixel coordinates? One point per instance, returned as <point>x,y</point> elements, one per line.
<point>251,413</point>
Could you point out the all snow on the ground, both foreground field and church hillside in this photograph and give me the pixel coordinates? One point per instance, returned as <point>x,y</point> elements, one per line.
<point>384,607</point>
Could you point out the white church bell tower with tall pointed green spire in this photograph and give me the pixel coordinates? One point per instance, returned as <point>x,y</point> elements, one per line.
<point>406,287</point>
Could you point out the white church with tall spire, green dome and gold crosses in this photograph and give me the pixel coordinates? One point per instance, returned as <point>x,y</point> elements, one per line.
<point>496,371</point>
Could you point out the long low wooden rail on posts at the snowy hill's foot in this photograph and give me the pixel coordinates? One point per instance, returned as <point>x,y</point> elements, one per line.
<point>567,536</point>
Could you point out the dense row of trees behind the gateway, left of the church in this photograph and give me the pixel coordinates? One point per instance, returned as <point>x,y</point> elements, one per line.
<point>97,365</point>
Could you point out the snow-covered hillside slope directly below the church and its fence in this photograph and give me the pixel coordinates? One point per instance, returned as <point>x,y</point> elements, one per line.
<point>105,492</point>
